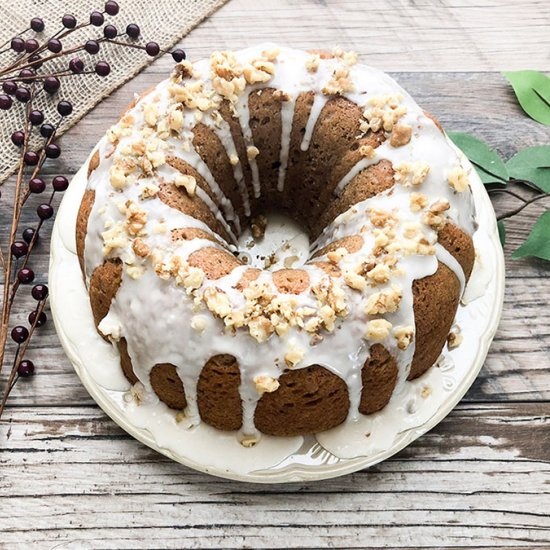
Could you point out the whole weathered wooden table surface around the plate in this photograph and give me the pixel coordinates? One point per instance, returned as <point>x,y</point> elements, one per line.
<point>71,478</point>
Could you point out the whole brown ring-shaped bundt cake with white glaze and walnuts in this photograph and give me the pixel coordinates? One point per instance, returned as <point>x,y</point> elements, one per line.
<point>335,145</point>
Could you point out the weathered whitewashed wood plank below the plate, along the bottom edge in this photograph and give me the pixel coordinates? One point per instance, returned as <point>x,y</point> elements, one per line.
<point>83,480</point>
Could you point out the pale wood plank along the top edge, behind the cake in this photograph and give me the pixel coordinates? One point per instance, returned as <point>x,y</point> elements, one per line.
<point>393,34</point>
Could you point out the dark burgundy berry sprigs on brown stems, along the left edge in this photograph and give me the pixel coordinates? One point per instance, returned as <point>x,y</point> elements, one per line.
<point>33,71</point>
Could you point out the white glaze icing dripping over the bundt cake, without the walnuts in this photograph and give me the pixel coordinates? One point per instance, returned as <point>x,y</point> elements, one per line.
<point>154,315</point>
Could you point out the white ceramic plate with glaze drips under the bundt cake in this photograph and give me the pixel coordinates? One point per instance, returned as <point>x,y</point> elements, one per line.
<point>419,407</point>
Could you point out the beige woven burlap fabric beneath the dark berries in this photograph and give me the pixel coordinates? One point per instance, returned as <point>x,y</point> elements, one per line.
<point>164,21</point>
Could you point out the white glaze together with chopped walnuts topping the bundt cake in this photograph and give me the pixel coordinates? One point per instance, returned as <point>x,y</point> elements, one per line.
<point>171,311</point>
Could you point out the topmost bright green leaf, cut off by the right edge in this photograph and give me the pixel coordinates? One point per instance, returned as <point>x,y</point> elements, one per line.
<point>533,92</point>
